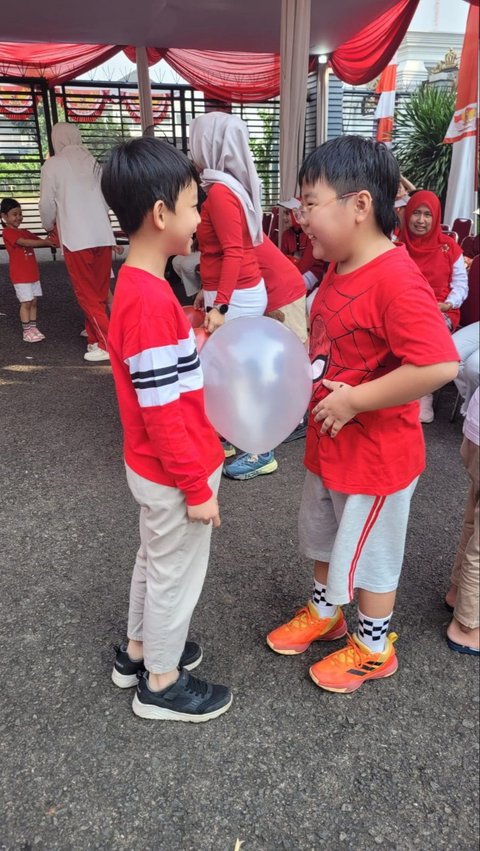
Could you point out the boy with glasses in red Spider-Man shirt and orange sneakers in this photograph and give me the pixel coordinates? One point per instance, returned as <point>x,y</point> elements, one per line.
<point>364,449</point>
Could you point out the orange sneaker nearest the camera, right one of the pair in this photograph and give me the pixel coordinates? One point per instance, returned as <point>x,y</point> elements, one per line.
<point>346,669</point>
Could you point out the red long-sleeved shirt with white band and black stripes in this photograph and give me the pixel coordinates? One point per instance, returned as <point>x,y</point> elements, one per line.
<point>159,383</point>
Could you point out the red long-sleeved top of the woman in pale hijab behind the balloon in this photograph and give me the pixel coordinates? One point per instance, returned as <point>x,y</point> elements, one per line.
<point>227,260</point>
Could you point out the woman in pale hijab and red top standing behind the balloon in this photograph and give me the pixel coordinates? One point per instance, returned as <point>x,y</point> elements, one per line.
<point>231,219</point>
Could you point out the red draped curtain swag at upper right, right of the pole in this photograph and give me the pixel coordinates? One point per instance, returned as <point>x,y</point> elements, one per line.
<point>366,55</point>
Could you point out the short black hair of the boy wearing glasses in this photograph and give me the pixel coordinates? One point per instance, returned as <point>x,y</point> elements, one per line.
<point>352,163</point>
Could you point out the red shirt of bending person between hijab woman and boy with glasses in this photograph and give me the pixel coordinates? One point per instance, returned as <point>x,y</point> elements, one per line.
<point>283,281</point>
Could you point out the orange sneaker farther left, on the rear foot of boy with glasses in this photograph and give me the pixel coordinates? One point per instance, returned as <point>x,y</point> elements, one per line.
<point>296,635</point>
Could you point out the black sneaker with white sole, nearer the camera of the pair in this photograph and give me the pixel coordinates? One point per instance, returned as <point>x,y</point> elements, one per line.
<point>188,699</point>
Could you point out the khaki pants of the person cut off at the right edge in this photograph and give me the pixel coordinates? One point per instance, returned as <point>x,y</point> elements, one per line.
<point>466,570</point>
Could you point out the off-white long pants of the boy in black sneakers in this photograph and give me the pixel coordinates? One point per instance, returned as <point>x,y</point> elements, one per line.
<point>169,571</point>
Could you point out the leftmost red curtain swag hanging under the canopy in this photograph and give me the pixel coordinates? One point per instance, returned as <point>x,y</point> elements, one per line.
<point>57,63</point>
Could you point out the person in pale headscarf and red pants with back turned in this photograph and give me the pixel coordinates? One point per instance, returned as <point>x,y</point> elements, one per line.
<point>71,199</point>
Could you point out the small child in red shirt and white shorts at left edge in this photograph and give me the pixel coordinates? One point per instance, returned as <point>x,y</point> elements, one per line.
<point>24,273</point>
